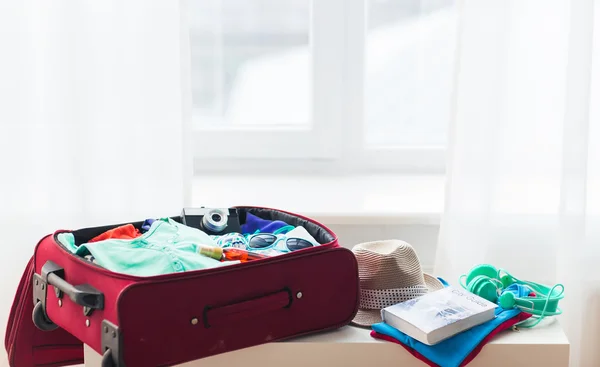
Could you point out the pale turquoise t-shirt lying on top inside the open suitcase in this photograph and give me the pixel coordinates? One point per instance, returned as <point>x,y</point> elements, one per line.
<point>167,247</point>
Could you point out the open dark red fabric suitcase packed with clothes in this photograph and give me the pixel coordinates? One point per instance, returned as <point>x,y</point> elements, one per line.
<point>174,318</point>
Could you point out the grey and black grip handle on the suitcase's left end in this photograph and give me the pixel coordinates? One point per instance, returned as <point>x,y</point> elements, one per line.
<point>84,294</point>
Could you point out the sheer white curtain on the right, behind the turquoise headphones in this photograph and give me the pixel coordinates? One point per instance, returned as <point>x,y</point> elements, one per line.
<point>523,189</point>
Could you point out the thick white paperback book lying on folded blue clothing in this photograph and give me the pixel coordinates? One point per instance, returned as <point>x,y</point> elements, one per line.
<point>439,315</point>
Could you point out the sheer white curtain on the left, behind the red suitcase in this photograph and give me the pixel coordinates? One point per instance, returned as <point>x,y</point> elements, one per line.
<point>91,124</point>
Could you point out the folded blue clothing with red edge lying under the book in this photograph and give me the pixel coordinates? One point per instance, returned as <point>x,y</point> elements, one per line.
<point>458,350</point>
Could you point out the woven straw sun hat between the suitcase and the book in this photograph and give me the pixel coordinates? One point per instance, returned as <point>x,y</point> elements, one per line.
<point>389,273</point>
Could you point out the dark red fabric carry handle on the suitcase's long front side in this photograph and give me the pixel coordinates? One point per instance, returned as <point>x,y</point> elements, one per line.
<point>232,313</point>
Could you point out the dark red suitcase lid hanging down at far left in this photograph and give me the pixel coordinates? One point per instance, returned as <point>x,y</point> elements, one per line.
<point>28,346</point>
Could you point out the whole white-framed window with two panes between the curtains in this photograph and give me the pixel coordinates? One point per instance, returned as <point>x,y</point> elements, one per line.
<point>337,85</point>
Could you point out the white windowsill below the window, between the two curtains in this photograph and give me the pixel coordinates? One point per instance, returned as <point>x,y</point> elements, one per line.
<point>360,199</point>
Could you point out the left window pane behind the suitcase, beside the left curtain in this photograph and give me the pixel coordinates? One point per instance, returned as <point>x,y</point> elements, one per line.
<point>242,52</point>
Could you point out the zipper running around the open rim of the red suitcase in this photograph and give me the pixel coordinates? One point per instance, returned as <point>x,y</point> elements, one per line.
<point>323,247</point>
